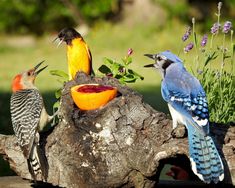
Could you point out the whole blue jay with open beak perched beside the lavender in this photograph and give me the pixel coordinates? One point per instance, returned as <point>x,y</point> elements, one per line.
<point>188,105</point>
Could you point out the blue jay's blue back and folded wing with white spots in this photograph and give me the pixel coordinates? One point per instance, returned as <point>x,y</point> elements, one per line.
<point>186,95</point>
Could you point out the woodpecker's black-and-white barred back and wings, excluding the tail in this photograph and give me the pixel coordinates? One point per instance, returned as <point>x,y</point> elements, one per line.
<point>26,107</point>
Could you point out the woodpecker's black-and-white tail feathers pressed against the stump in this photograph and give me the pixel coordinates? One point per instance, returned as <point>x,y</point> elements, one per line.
<point>37,164</point>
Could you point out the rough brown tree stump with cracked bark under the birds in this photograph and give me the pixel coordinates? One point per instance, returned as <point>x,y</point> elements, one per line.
<point>123,144</point>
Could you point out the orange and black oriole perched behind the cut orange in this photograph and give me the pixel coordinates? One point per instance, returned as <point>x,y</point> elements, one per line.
<point>78,52</point>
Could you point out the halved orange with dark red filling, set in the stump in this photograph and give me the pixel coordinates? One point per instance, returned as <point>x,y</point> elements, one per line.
<point>92,96</point>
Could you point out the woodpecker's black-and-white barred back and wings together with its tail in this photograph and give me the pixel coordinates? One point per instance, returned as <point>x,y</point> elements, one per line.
<point>26,109</point>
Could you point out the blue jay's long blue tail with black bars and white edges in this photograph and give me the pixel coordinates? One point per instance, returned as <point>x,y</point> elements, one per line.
<point>205,160</point>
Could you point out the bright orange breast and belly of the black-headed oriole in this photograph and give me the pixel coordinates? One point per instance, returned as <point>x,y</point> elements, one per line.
<point>79,58</point>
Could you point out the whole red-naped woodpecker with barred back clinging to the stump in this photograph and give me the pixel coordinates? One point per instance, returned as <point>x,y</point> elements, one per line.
<point>29,116</point>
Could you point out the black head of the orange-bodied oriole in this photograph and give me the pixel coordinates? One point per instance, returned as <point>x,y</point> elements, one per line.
<point>68,34</point>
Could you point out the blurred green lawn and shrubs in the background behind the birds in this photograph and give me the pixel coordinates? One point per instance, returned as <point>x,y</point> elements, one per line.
<point>110,27</point>
